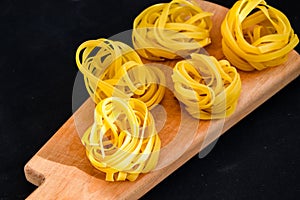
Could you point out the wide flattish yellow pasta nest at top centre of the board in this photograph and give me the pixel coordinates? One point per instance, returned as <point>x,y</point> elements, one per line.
<point>171,30</point>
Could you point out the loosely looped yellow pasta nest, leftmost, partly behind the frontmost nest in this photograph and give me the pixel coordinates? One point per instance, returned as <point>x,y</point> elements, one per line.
<point>112,68</point>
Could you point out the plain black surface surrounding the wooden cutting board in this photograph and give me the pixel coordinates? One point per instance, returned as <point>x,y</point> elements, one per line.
<point>256,159</point>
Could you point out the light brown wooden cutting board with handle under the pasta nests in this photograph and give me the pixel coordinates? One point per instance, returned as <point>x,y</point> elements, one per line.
<point>61,169</point>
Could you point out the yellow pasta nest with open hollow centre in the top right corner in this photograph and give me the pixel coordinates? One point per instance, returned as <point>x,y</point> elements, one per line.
<point>256,35</point>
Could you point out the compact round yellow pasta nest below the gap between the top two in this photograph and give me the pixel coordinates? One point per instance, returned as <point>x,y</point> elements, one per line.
<point>208,88</point>
